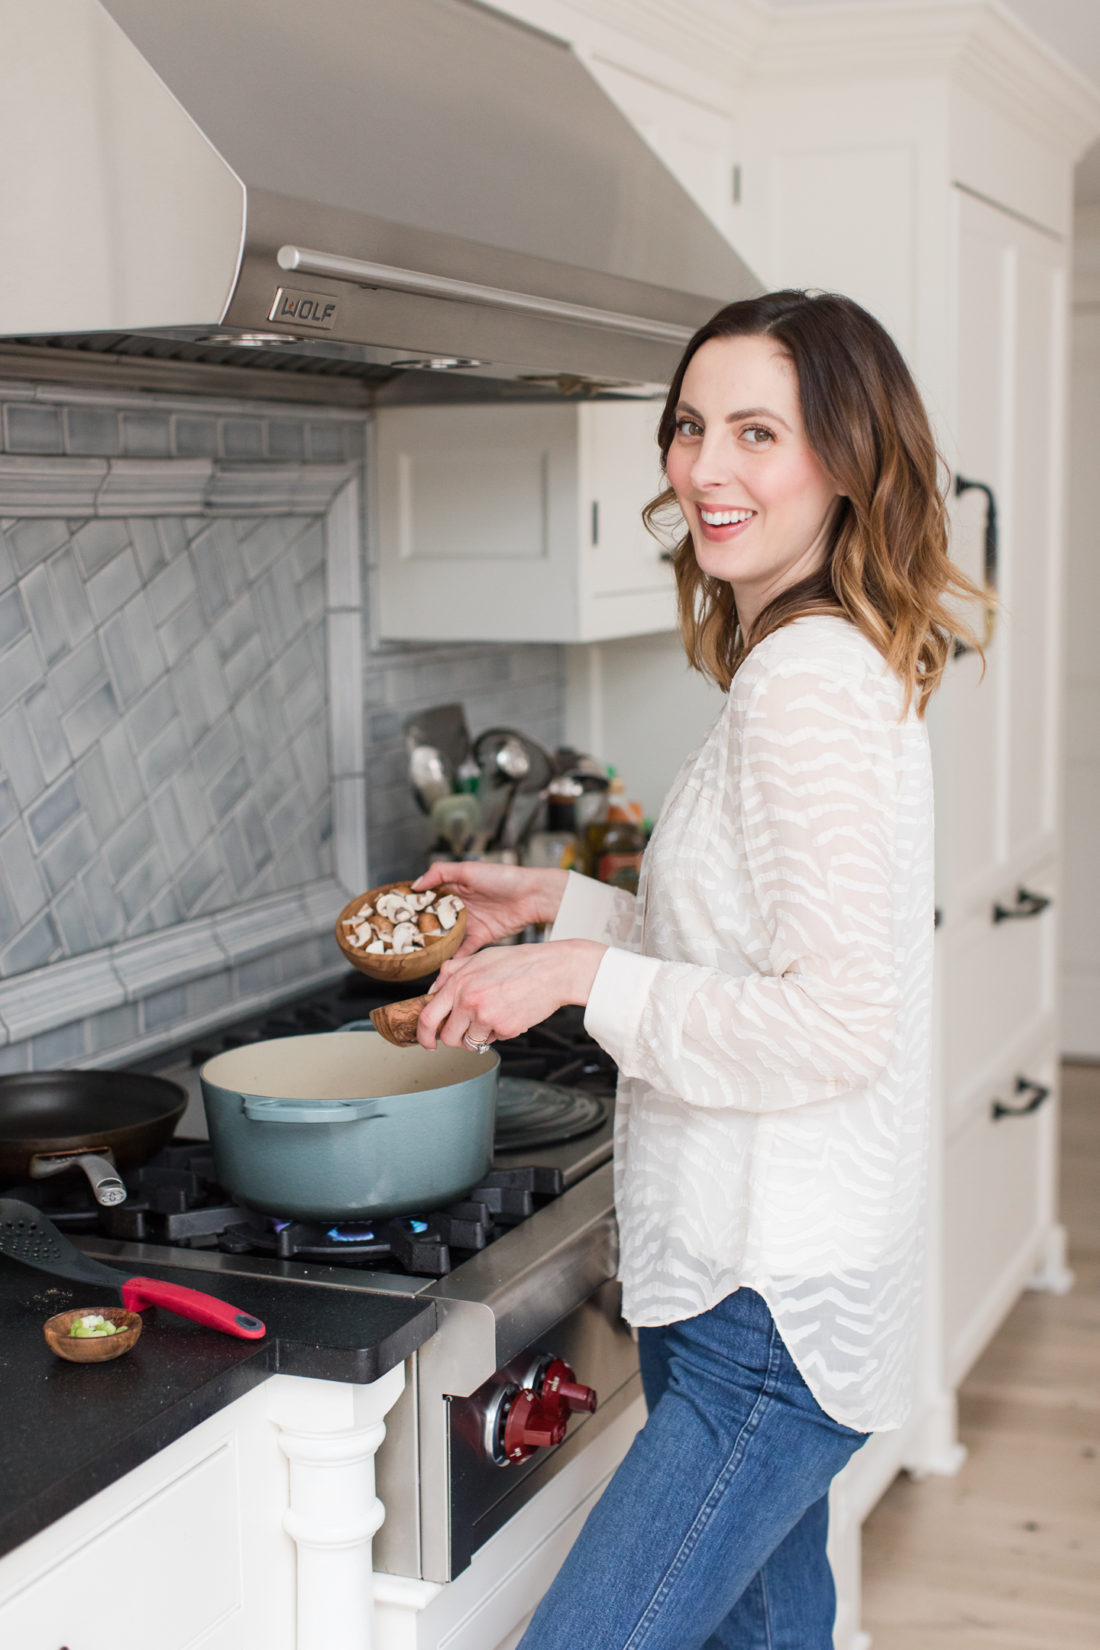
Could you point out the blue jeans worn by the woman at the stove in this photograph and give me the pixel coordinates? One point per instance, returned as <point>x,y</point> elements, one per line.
<point>712,1534</point>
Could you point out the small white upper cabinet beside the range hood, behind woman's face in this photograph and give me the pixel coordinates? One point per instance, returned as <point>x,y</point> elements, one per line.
<point>519,524</point>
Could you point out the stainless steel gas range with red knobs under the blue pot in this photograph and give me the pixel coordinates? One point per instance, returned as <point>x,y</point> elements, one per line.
<point>530,1362</point>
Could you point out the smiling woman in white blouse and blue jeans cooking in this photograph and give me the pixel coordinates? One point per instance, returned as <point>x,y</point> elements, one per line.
<point>766,994</point>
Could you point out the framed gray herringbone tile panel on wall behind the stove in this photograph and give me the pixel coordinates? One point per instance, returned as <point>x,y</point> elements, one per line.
<point>162,725</point>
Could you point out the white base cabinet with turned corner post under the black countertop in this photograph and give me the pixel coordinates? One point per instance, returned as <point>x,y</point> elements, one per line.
<point>251,1532</point>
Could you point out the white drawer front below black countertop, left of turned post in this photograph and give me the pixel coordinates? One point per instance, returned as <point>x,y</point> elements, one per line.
<point>162,1577</point>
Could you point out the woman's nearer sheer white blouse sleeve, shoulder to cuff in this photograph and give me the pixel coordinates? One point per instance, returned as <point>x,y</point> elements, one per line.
<point>819,799</point>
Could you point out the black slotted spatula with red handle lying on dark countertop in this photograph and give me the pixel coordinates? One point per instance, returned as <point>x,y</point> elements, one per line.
<point>32,1240</point>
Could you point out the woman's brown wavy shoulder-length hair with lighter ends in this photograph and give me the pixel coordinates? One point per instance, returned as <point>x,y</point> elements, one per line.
<point>888,567</point>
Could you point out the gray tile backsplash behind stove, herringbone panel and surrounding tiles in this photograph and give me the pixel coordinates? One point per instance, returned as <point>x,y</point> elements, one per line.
<point>164,715</point>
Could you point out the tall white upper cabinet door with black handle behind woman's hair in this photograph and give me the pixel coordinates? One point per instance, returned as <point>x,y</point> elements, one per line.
<point>995,740</point>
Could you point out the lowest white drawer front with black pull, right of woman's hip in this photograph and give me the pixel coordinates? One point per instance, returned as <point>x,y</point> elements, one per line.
<point>994,1214</point>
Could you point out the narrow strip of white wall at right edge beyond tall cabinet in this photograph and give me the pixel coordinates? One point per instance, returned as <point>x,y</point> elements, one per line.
<point>1081,917</point>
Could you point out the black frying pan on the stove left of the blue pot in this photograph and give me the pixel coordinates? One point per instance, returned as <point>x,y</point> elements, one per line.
<point>98,1121</point>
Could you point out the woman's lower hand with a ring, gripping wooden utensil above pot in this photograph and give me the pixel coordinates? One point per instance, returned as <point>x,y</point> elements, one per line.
<point>504,991</point>
